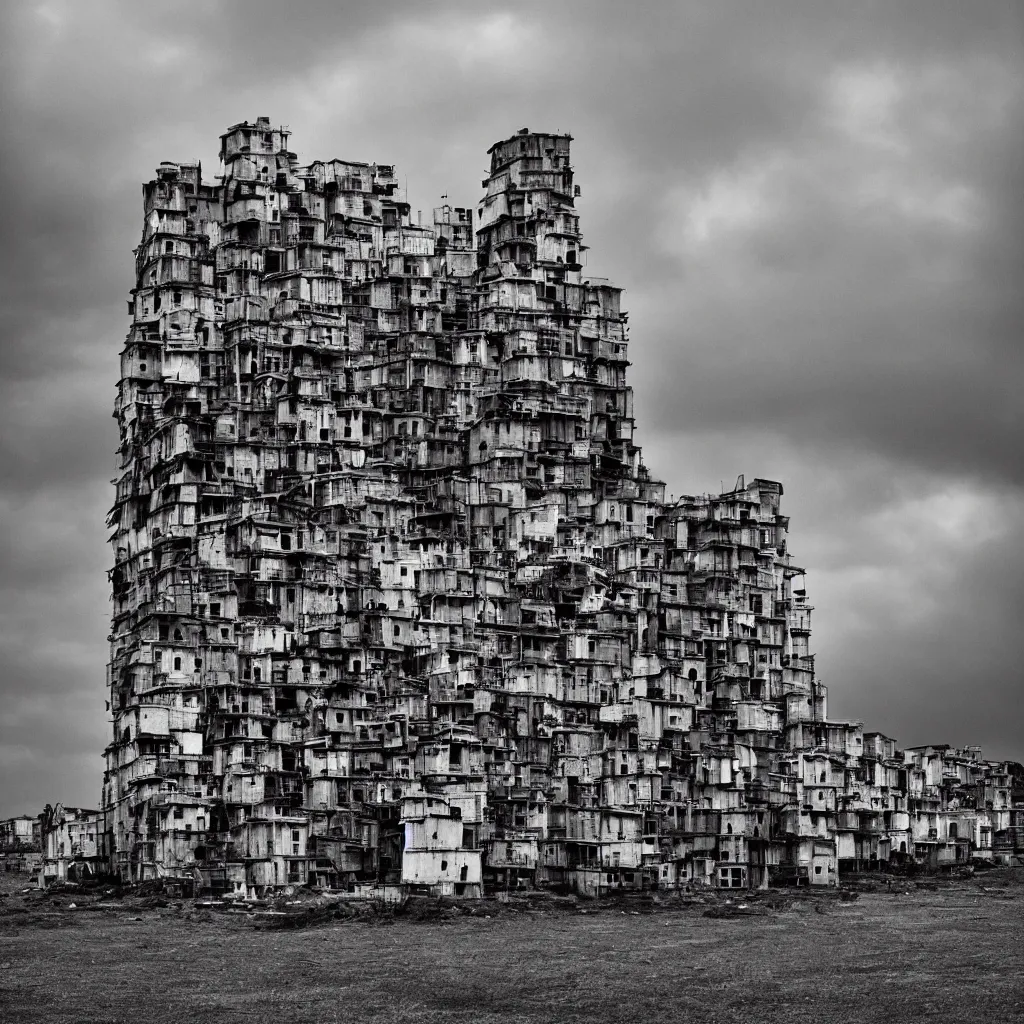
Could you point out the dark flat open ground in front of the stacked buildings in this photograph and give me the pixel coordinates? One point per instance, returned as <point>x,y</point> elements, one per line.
<point>926,952</point>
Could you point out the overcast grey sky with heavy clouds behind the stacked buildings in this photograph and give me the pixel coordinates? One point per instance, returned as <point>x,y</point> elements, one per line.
<point>816,212</point>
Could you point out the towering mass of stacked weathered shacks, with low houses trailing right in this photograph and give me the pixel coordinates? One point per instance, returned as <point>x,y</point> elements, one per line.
<point>396,600</point>
